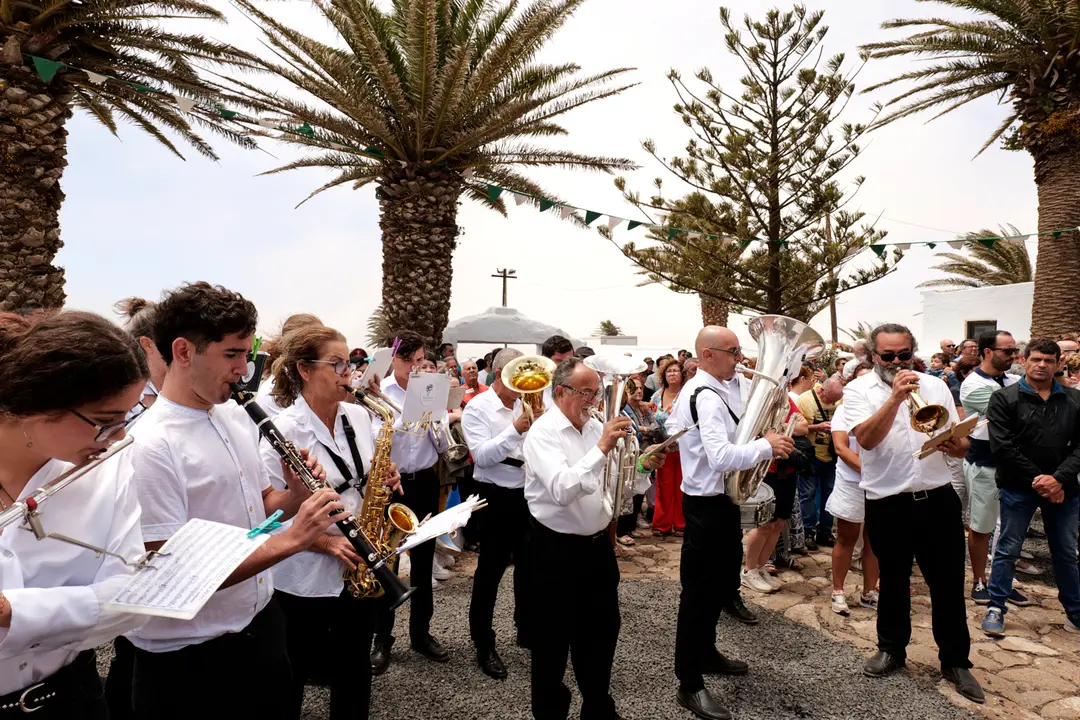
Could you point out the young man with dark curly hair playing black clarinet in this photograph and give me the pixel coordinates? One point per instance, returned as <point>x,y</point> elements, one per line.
<point>196,458</point>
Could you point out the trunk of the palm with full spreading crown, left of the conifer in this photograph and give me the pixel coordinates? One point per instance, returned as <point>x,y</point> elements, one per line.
<point>420,210</point>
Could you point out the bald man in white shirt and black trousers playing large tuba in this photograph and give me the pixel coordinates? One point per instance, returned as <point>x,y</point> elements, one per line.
<point>712,549</point>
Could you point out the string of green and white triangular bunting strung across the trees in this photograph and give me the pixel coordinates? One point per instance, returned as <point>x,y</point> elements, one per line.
<point>47,70</point>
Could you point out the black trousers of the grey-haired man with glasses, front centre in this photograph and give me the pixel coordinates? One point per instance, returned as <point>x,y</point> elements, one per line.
<point>577,581</point>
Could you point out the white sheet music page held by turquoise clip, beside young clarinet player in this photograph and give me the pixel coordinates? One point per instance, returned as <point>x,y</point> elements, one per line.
<point>201,555</point>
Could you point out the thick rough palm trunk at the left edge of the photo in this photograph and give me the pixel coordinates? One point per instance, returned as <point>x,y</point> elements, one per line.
<point>33,155</point>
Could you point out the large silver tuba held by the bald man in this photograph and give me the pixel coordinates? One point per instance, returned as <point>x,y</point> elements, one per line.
<point>782,346</point>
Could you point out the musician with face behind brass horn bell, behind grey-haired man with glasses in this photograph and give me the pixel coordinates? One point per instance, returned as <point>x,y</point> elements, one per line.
<point>495,428</point>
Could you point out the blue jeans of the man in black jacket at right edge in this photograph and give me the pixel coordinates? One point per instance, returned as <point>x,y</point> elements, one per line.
<point>1018,508</point>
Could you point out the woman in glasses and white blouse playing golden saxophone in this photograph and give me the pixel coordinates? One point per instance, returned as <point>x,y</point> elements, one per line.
<point>310,381</point>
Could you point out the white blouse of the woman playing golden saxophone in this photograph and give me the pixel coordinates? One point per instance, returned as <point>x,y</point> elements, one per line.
<point>310,574</point>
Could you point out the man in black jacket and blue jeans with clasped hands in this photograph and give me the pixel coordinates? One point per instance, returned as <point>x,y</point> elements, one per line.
<point>1035,438</point>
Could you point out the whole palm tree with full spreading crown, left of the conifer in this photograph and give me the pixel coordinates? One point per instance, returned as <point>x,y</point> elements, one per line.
<point>430,101</point>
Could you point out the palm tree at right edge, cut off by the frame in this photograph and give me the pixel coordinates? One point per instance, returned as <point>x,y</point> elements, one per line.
<point>1025,52</point>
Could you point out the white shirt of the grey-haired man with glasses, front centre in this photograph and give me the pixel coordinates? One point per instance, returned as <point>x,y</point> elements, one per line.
<point>564,470</point>
